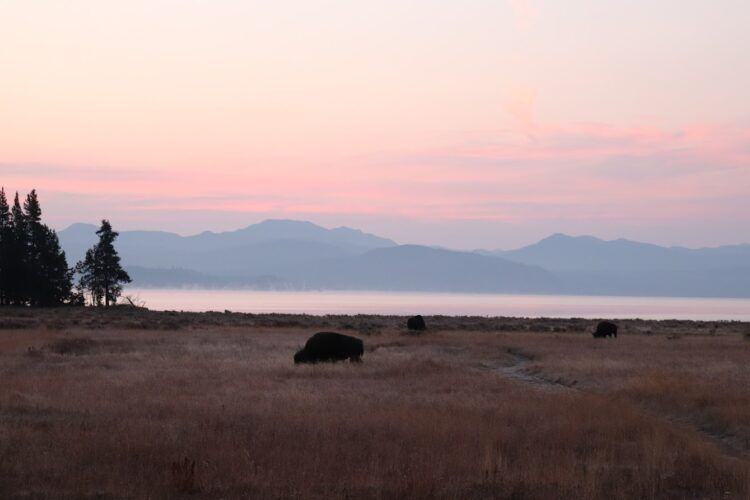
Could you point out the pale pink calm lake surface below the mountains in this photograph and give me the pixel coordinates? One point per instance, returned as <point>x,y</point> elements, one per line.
<point>402,303</point>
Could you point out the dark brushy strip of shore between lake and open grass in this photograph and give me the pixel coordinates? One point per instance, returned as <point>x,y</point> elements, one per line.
<point>128,317</point>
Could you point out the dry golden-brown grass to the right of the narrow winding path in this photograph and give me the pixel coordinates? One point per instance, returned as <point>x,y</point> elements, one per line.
<point>702,380</point>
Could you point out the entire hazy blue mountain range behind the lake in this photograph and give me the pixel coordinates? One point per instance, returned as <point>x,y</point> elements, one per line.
<point>285,254</point>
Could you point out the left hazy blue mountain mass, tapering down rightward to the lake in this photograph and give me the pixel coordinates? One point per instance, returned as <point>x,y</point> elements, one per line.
<point>282,254</point>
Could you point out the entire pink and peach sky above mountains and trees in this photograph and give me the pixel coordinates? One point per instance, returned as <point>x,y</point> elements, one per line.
<point>466,123</point>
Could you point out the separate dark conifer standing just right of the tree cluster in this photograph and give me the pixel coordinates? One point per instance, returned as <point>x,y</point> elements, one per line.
<point>100,271</point>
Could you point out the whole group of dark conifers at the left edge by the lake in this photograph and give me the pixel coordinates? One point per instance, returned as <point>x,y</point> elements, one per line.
<point>34,270</point>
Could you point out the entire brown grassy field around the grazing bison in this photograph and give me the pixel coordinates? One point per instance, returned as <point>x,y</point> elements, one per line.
<point>127,403</point>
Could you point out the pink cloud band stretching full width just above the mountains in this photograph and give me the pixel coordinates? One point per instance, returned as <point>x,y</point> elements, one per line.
<point>587,172</point>
